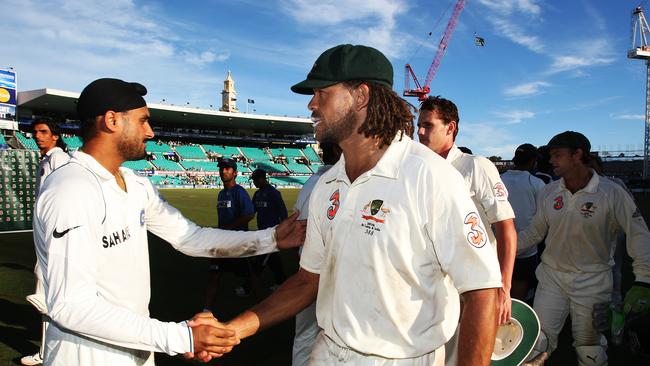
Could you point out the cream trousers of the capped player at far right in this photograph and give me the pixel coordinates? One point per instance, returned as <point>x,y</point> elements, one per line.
<point>562,294</point>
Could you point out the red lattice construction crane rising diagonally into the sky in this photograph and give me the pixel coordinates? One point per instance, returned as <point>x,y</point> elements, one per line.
<point>422,91</point>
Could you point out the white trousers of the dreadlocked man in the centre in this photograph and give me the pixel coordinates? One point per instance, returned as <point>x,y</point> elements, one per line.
<point>328,353</point>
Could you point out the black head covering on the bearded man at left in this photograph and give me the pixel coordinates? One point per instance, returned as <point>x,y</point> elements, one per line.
<point>108,94</point>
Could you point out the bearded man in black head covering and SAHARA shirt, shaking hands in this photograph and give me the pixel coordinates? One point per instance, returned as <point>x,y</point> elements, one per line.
<point>90,228</point>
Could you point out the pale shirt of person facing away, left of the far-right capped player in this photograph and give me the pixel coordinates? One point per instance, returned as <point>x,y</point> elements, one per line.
<point>523,189</point>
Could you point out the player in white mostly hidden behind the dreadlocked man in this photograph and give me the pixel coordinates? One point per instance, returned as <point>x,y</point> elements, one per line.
<point>306,323</point>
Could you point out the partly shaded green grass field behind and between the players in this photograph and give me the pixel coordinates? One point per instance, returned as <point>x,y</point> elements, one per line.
<point>178,290</point>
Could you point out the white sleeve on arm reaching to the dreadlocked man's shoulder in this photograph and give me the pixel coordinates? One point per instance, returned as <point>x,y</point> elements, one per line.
<point>167,222</point>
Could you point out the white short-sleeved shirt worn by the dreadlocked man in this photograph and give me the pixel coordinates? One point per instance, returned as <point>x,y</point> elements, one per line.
<point>387,248</point>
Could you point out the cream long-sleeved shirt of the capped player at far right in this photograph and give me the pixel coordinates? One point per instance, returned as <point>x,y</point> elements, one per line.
<point>580,228</point>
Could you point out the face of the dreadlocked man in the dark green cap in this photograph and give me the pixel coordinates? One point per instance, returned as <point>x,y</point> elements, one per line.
<point>332,113</point>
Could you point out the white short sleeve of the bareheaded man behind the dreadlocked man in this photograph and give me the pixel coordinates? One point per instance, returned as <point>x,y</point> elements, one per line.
<point>491,192</point>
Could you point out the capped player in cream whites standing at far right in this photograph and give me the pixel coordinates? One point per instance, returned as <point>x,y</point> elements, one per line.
<point>581,215</point>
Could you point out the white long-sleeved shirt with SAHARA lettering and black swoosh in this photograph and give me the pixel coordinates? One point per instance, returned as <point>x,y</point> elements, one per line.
<point>91,241</point>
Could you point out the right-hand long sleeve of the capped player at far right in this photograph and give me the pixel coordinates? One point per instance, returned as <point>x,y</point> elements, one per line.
<point>630,219</point>
